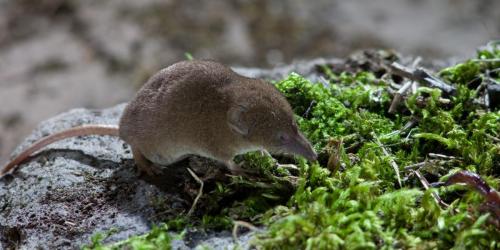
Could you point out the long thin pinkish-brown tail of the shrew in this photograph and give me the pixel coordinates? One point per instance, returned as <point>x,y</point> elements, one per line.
<point>72,132</point>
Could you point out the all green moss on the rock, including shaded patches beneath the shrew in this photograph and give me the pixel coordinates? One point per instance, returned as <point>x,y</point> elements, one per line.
<point>360,204</point>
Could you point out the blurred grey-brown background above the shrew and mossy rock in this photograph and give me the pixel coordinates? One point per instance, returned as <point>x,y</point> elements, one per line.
<point>61,54</point>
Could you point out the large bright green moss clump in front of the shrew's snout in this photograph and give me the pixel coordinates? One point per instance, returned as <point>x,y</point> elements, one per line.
<point>361,206</point>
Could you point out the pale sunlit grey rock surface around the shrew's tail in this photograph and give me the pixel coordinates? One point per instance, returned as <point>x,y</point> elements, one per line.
<point>74,188</point>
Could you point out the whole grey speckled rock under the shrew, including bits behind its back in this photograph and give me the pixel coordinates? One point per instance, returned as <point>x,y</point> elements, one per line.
<point>80,186</point>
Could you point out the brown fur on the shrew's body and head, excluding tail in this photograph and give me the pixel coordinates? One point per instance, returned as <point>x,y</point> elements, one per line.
<point>183,109</point>
